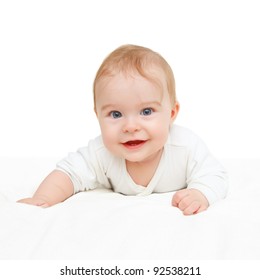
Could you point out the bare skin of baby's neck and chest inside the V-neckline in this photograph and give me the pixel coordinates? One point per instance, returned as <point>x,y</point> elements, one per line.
<point>143,172</point>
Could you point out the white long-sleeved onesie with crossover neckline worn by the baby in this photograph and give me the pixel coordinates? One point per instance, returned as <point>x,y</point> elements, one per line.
<point>185,162</point>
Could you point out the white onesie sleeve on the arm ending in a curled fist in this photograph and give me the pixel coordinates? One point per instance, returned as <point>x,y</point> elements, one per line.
<point>205,173</point>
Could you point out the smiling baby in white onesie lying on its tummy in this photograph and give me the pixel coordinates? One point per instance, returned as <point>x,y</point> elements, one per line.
<point>140,150</point>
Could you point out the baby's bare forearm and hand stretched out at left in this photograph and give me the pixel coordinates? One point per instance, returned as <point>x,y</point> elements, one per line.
<point>55,188</point>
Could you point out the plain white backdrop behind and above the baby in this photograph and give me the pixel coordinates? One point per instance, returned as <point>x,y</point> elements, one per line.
<point>51,50</point>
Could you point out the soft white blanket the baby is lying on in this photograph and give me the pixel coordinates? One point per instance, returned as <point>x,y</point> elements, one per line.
<point>101,224</point>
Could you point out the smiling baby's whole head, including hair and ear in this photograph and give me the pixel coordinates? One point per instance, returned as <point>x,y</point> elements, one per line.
<point>134,97</point>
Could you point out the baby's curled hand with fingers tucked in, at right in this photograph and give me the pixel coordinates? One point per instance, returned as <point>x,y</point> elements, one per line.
<point>190,201</point>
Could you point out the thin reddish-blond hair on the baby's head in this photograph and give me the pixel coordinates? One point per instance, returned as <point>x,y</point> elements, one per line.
<point>131,59</point>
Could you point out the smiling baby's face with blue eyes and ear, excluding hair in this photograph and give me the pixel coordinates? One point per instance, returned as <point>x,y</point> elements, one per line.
<point>135,115</point>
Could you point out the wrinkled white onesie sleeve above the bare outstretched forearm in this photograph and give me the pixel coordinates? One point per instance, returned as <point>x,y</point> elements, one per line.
<point>84,169</point>
